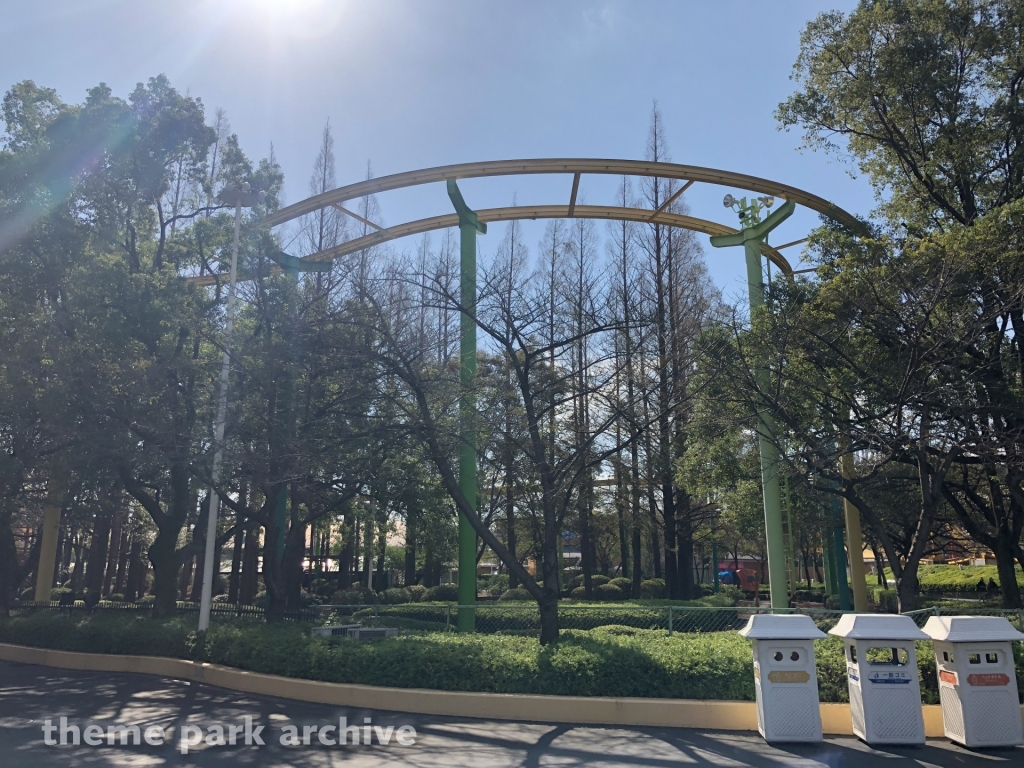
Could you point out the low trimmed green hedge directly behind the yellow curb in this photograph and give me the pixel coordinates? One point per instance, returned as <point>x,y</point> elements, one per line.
<point>610,662</point>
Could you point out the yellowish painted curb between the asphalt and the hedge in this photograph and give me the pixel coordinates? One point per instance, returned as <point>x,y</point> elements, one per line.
<point>734,716</point>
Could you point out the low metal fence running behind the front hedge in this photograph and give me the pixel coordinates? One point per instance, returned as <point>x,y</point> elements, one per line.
<point>525,619</point>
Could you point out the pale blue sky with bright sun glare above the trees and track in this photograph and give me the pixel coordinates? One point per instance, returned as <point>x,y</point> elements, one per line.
<point>411,84</point>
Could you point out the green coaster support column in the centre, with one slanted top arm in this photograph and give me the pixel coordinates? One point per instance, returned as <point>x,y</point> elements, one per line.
<point>470,226</point>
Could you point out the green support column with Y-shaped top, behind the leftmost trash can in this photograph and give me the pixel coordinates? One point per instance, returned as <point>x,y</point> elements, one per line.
<point>751,238</point>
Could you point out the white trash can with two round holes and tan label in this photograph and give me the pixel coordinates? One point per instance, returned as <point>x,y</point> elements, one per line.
<point>786,679</point>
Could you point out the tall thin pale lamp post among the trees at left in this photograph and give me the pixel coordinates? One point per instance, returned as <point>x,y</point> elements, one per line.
<point>241,198</point>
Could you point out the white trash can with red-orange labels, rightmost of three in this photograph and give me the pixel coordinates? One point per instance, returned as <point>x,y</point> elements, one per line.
<point>977,680</point>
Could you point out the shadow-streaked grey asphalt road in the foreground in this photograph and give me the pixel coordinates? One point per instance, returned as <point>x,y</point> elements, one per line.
<point>175,709</point>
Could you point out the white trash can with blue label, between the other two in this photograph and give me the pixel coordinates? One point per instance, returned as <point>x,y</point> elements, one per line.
<point>882,670</point>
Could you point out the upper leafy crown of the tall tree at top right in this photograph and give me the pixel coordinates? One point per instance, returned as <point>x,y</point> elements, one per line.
<point>925,96</point>
